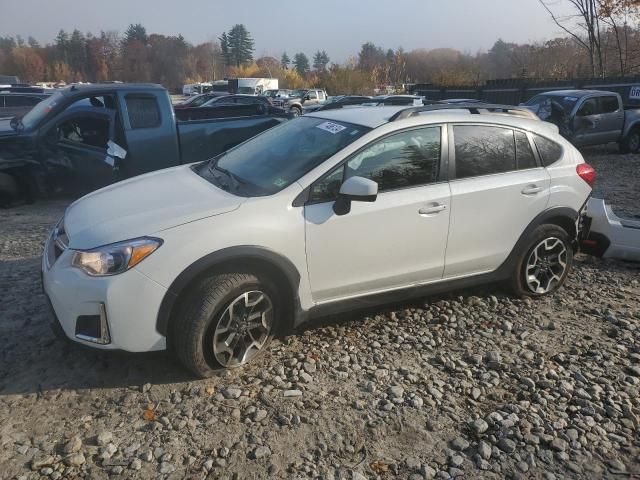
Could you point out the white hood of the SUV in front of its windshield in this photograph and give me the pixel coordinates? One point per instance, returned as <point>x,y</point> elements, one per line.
<point>144,205</point>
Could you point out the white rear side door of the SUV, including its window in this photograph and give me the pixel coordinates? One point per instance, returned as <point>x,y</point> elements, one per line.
<point>497,189</point>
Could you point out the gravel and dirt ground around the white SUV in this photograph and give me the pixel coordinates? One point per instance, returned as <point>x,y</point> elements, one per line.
<point>475,384</point>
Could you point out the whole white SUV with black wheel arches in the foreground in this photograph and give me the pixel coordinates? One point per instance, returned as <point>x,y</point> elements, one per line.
<point>331,211</point>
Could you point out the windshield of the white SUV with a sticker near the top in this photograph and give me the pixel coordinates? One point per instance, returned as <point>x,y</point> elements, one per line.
<point>281,155</point>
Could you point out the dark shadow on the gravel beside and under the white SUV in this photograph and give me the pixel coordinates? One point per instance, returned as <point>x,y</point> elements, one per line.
<point>34,361</point>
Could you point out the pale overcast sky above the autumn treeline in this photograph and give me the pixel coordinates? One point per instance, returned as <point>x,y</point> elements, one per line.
<point>337,26</point>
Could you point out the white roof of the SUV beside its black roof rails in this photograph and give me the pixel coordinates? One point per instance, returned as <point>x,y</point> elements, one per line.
<point>374,116</point>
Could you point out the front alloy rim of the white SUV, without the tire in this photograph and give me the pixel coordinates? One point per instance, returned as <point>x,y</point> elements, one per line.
<point>243,329</point>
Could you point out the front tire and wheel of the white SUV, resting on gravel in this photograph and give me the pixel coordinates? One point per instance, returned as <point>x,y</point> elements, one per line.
<point>226,322</point>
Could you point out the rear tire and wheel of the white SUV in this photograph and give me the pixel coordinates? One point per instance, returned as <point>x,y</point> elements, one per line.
<point>544,264</point>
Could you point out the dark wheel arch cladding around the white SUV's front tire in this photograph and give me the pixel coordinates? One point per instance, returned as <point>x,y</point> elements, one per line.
<point>247,258</point>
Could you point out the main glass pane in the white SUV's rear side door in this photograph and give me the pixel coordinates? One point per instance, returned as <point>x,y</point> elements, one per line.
<point>483,150</point>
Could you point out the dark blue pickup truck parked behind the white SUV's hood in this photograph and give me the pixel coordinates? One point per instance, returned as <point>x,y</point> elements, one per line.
<point>85,137</point>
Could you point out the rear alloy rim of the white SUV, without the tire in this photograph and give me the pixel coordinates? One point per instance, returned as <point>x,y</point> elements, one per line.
<point>546,265</point>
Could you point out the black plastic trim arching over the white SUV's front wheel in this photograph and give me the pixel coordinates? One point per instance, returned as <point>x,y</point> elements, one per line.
<point>244,253</point>
